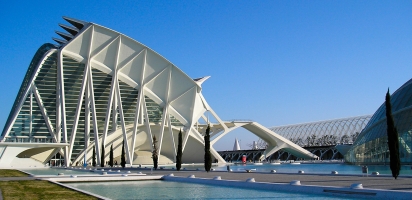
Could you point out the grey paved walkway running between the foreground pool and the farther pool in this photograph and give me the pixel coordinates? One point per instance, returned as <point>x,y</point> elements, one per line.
<point>381,182</point>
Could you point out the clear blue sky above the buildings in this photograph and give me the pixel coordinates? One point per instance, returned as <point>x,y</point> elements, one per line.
<point>275,62</point>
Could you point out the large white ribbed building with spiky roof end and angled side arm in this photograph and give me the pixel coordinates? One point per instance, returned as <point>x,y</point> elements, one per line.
<point>98,88</point>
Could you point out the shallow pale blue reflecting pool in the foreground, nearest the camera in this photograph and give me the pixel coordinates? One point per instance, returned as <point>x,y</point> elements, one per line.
<point>178,190</point>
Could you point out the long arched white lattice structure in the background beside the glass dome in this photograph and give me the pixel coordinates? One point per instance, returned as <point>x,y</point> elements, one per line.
<point>324,133</point>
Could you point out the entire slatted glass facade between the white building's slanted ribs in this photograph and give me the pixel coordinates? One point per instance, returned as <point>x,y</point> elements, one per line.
<point>30,123</point>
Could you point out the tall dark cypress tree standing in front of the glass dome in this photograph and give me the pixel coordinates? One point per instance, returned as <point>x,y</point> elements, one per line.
<point>393,139</point>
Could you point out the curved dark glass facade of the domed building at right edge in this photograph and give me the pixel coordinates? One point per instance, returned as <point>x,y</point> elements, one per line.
<point>371,146</point>
